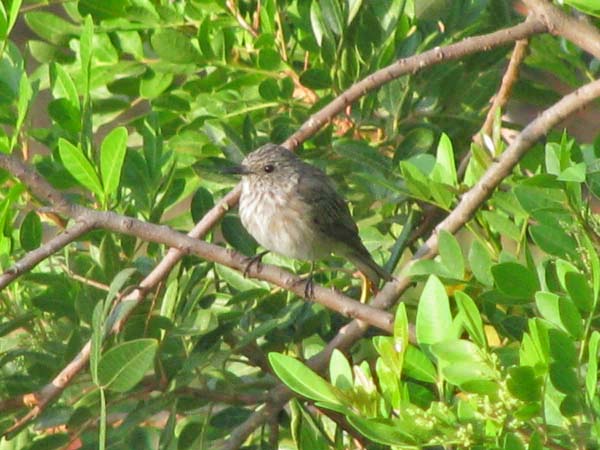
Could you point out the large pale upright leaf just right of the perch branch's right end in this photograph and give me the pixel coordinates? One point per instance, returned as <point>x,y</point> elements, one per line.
<point>434,320</point>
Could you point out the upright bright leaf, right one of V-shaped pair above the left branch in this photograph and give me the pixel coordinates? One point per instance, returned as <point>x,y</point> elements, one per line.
<point>112,157</point>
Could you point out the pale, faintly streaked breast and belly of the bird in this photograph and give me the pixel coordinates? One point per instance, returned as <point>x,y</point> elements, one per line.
<point>281,222</point>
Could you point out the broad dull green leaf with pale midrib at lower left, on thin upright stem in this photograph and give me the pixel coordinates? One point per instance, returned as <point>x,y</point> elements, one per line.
<point>124,365</point>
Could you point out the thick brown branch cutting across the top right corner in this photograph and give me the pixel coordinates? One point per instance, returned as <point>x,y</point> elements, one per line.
<point>578,31</point>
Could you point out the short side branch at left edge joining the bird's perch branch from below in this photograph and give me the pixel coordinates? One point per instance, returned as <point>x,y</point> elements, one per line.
<point>34,257</point>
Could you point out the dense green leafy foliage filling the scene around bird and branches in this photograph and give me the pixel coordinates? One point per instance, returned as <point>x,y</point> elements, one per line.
<point>135,105</point>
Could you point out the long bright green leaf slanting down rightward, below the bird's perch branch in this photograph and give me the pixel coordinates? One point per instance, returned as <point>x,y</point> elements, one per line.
<point>303,380</point>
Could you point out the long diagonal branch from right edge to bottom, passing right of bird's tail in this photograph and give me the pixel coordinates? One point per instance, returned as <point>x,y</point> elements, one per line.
<point>469,203</point>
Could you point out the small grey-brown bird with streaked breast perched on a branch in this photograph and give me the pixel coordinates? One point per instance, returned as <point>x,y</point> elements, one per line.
<point>292,208</point>
